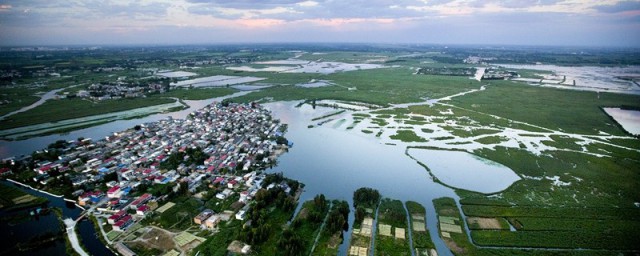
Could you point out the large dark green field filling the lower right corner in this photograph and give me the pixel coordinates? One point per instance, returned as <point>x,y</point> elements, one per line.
<point>594,211</point>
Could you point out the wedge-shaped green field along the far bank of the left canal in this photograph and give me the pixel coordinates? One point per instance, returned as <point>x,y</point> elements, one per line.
<point>58,110</point>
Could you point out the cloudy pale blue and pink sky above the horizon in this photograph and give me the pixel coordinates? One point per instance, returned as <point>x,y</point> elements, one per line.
<point>165,22</point>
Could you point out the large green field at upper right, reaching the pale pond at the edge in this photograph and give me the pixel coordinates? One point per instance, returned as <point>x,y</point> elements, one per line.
<point>566,110</point>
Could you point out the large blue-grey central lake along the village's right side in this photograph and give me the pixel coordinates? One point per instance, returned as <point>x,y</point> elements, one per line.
<point>336,163</point>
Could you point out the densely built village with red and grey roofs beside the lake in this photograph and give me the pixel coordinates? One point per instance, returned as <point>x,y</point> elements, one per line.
<point>217,153</point>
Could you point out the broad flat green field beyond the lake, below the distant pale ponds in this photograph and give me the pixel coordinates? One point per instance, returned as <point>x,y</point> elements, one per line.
<point>379,86</point>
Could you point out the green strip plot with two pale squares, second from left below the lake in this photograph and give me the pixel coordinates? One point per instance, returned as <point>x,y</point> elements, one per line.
<point>392,237</point>
